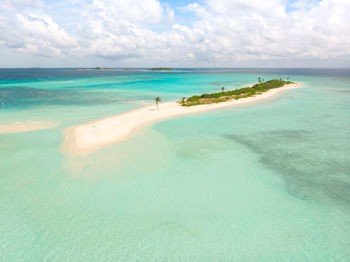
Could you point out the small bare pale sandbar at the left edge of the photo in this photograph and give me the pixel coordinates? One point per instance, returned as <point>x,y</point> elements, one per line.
<point>19,127</point>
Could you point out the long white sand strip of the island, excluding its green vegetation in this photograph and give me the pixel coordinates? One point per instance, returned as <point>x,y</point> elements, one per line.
<point>88,137</point>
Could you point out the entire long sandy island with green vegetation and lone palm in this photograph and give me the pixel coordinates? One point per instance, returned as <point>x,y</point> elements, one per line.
<point>86,138</point>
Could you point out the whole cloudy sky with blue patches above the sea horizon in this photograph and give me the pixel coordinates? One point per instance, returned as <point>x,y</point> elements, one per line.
<point>183,33</point>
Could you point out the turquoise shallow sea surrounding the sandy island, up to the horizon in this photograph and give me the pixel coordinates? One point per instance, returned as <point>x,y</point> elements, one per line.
<point>268,181</point>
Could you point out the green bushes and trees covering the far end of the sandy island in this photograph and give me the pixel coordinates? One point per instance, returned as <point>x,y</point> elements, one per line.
<point>233,94</point>
